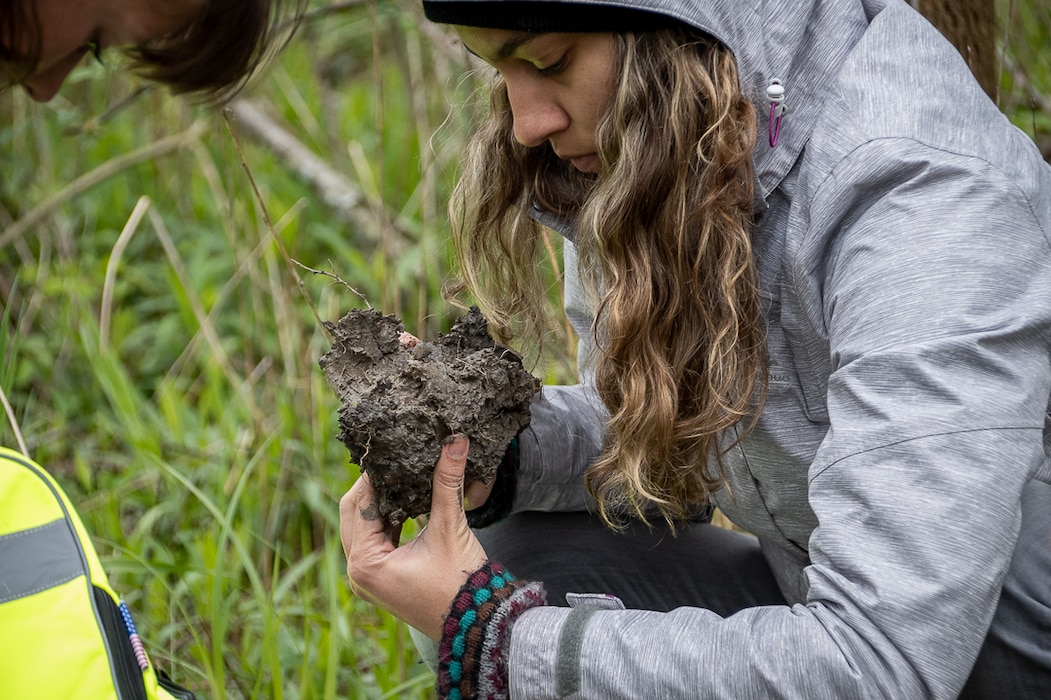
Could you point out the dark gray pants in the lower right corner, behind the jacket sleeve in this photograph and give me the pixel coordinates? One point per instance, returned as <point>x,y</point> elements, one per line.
<point>1016,662</point>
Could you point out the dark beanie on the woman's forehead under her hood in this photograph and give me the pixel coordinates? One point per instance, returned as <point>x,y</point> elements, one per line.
<point>539,16</point>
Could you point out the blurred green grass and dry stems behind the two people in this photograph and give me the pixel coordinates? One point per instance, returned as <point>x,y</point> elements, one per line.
<point>160,347</point>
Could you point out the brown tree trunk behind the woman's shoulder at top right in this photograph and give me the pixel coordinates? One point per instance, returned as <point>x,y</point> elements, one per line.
<point>972,28</point>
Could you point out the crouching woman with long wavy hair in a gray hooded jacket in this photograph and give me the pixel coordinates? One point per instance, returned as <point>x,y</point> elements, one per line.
<point>810,263</point>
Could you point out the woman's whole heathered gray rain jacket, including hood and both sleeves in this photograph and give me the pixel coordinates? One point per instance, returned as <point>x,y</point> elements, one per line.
<point>905,266</point>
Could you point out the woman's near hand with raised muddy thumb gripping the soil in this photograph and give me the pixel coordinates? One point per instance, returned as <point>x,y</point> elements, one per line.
<point>418,582</point>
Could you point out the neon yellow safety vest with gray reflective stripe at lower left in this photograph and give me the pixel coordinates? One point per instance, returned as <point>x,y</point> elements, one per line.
<point>65,634</point>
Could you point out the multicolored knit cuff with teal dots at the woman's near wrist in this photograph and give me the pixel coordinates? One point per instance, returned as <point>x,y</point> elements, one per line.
<point>472,654</point>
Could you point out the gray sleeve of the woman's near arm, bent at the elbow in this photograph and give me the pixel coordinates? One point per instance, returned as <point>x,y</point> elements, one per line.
<point>935,300</point>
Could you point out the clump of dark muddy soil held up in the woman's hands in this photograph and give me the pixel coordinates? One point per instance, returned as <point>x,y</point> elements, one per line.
<point>402,401</point>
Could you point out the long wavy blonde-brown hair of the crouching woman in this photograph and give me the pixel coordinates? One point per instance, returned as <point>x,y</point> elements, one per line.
<point>681,344</point>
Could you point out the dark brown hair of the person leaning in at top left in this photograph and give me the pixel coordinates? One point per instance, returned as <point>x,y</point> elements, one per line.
<point>215,54</point>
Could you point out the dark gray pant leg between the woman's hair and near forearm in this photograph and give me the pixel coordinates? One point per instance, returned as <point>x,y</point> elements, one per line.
<point>703,567</point>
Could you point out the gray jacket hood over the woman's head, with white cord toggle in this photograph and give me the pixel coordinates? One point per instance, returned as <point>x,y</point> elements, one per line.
<point>801,44</point>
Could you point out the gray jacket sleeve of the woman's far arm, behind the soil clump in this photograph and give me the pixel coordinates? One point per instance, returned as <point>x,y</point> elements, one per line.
<point>568,427</point>
